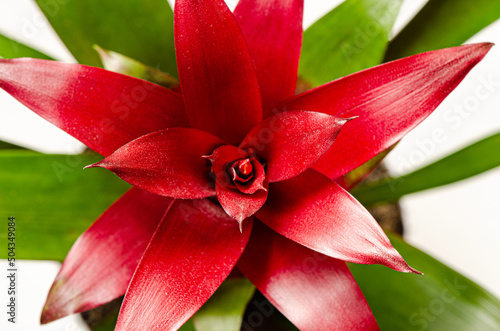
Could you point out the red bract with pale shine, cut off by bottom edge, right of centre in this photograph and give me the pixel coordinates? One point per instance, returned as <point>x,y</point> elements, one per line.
<point>314,291</point>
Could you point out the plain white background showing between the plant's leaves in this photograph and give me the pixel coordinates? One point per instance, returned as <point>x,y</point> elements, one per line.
<point>458,224</point>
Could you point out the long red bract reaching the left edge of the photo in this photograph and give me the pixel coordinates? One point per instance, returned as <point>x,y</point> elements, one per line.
<point>98,107</point>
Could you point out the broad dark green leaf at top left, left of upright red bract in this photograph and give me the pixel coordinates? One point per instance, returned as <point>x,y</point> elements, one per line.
<point>142,30</point>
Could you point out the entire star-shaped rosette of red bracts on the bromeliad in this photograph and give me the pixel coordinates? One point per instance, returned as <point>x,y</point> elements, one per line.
<point>240,144</point>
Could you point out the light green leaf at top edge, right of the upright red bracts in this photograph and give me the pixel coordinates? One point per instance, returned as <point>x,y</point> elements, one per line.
<point>352,37</point>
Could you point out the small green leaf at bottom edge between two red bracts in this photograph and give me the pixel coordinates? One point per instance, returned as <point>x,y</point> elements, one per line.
<point>224,310</point>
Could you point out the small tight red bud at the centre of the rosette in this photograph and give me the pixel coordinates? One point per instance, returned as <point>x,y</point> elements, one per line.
<point>238,169</point>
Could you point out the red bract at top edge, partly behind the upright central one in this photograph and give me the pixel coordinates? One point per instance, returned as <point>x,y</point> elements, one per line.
<point>273,31</point>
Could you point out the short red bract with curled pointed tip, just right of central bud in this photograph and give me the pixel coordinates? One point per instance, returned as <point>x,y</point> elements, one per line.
<point>291,142</point>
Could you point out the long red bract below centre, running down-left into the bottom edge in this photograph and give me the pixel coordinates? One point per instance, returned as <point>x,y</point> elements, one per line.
<point>194,249</point>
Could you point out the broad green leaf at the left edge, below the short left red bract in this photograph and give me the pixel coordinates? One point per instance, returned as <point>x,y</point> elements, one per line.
<point>53,200</point>
